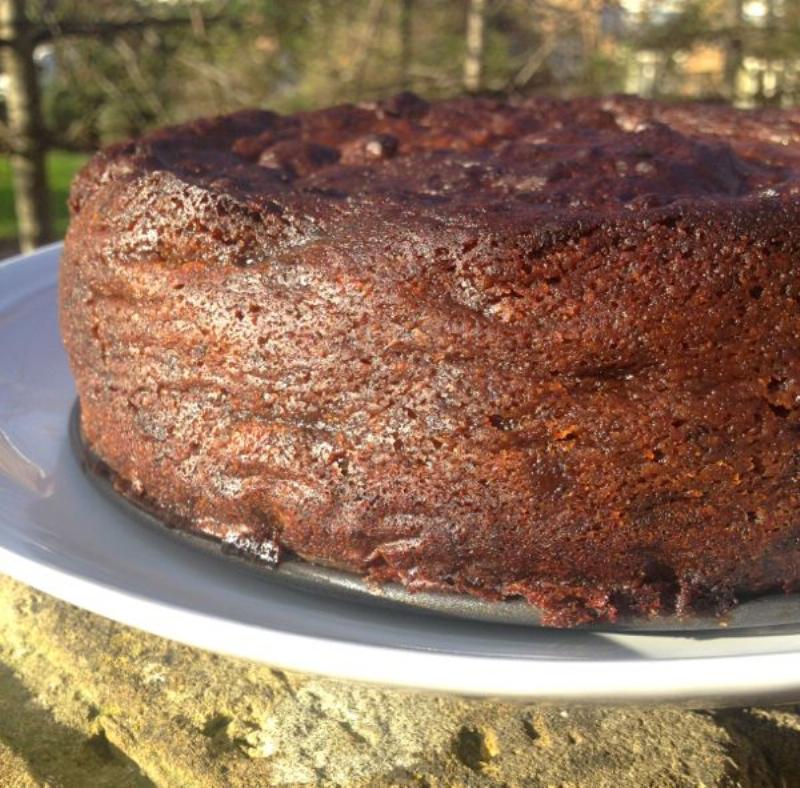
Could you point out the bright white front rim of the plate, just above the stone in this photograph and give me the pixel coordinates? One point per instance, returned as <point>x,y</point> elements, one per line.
<point>568,680</point>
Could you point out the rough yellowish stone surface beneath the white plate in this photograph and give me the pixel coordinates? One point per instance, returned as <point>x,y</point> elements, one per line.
<point>85,701</point>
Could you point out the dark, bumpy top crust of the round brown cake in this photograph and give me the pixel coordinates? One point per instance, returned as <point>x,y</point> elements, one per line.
<point>357,172</point>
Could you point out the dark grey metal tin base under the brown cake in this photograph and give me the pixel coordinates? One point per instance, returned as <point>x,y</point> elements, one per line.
<point>761,612</point>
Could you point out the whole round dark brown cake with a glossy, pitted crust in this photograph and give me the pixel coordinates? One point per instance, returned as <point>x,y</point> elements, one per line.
<point>548,349</point>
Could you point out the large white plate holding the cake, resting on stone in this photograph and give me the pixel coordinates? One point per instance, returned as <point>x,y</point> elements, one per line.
<point>59,534</point>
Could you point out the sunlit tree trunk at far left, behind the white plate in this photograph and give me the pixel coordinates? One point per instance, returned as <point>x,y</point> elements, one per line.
<point>25,128</point>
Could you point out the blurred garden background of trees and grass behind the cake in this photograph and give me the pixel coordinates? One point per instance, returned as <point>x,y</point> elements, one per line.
<point>76,75</point>
